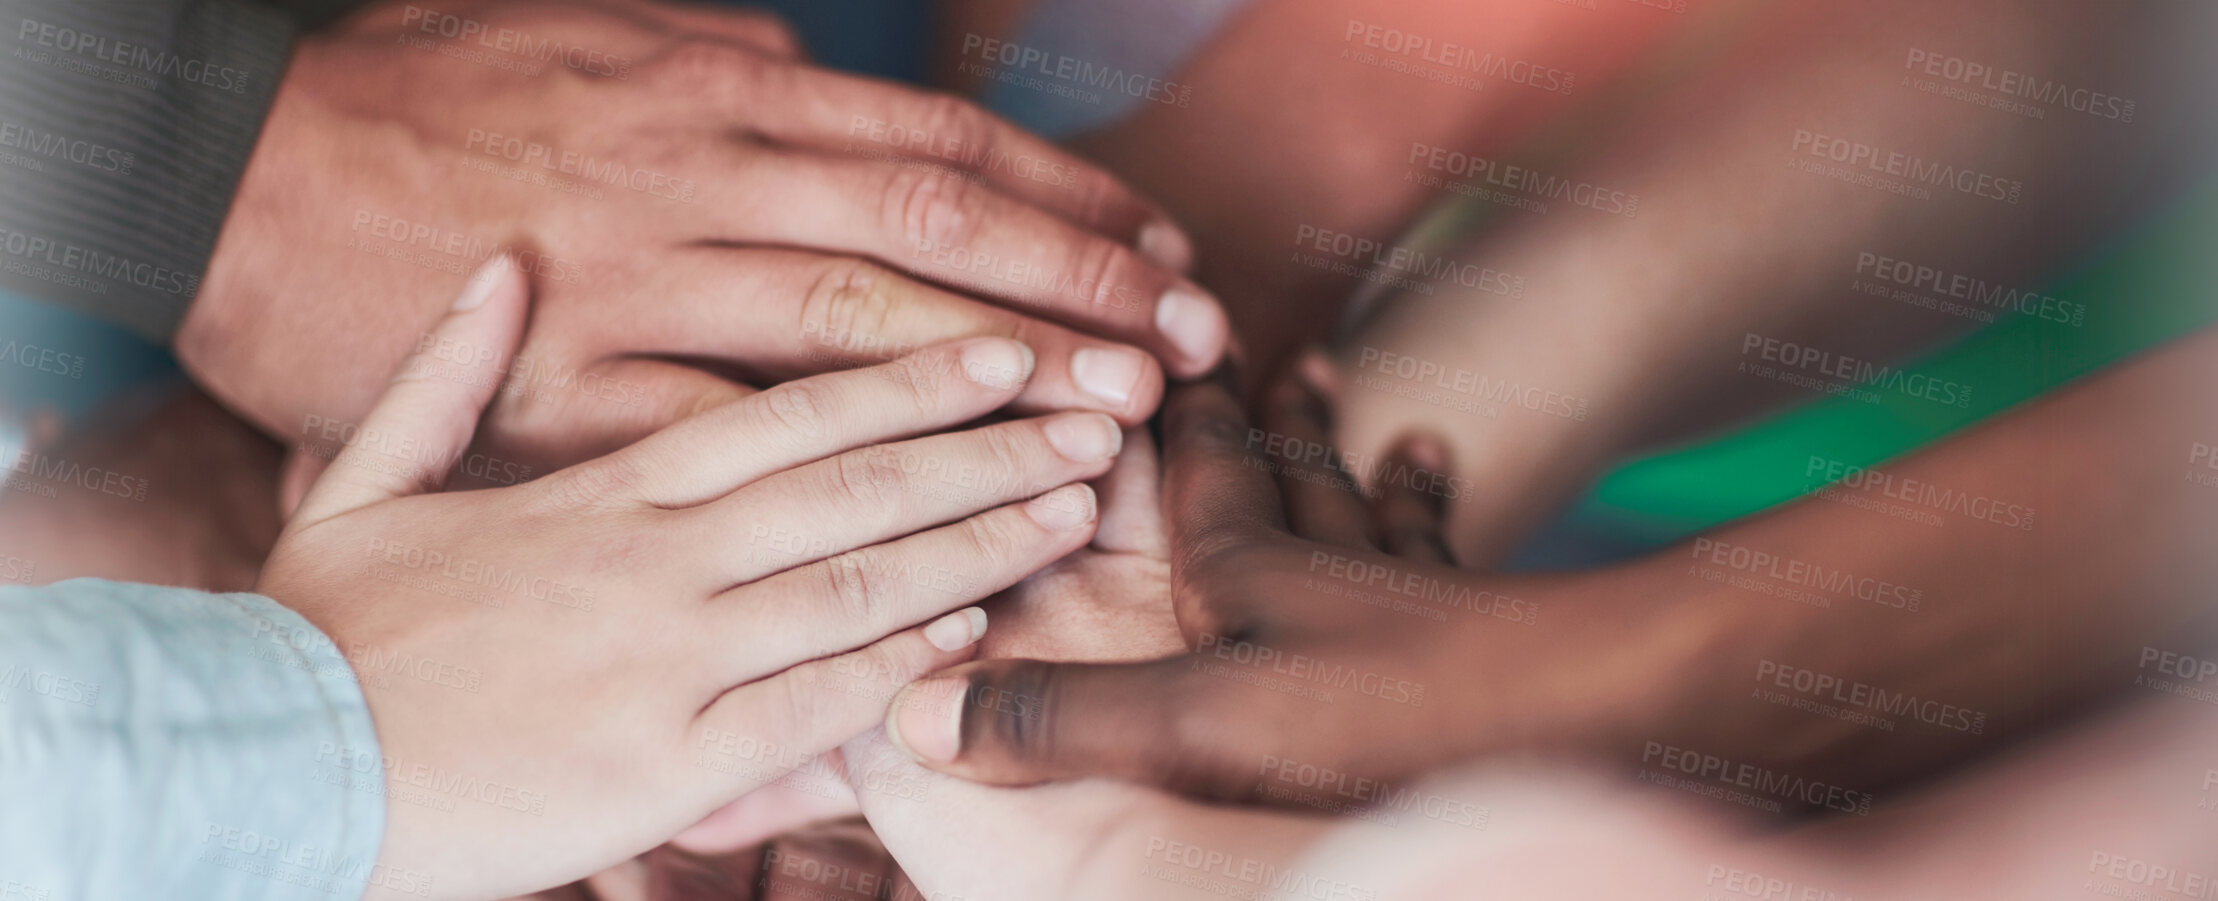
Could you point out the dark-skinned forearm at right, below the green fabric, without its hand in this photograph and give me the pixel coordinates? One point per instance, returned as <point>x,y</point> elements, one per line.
<point>1957,598</point>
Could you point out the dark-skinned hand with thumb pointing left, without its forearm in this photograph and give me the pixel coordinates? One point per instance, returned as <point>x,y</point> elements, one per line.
<point>1310,645</point>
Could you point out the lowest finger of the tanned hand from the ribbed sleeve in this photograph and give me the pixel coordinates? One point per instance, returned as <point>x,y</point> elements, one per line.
<point>791,314</point>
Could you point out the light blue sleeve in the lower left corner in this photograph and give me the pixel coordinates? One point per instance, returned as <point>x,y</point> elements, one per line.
<point>176,745</point>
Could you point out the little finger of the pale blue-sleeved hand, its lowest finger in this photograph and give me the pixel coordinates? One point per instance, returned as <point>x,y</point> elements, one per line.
<point>811,709</point>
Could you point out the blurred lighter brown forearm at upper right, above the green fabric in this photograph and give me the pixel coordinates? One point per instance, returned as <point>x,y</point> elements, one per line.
<point>1647,318</point>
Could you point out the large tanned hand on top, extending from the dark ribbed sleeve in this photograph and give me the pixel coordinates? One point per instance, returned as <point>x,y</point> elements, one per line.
<point>766,221</point>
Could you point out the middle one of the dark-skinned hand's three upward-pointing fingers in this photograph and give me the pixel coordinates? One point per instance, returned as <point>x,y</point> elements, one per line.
<point>1323,500</point>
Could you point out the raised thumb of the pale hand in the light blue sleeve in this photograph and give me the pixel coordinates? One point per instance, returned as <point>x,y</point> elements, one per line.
<point>429,414</point>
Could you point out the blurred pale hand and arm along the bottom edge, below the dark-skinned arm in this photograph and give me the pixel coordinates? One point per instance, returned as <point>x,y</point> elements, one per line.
<point>2093,809</point>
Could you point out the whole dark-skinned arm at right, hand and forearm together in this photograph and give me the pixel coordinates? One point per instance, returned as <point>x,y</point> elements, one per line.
<point>1667,656</point>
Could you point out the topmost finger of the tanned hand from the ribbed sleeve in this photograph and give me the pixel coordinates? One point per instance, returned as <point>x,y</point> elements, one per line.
<point>826,110</point>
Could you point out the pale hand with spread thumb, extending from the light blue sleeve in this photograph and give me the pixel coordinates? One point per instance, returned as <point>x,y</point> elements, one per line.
<point>629,645</point>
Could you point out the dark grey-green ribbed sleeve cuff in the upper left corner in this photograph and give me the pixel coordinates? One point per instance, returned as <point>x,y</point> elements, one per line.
<point>125,128</point>
